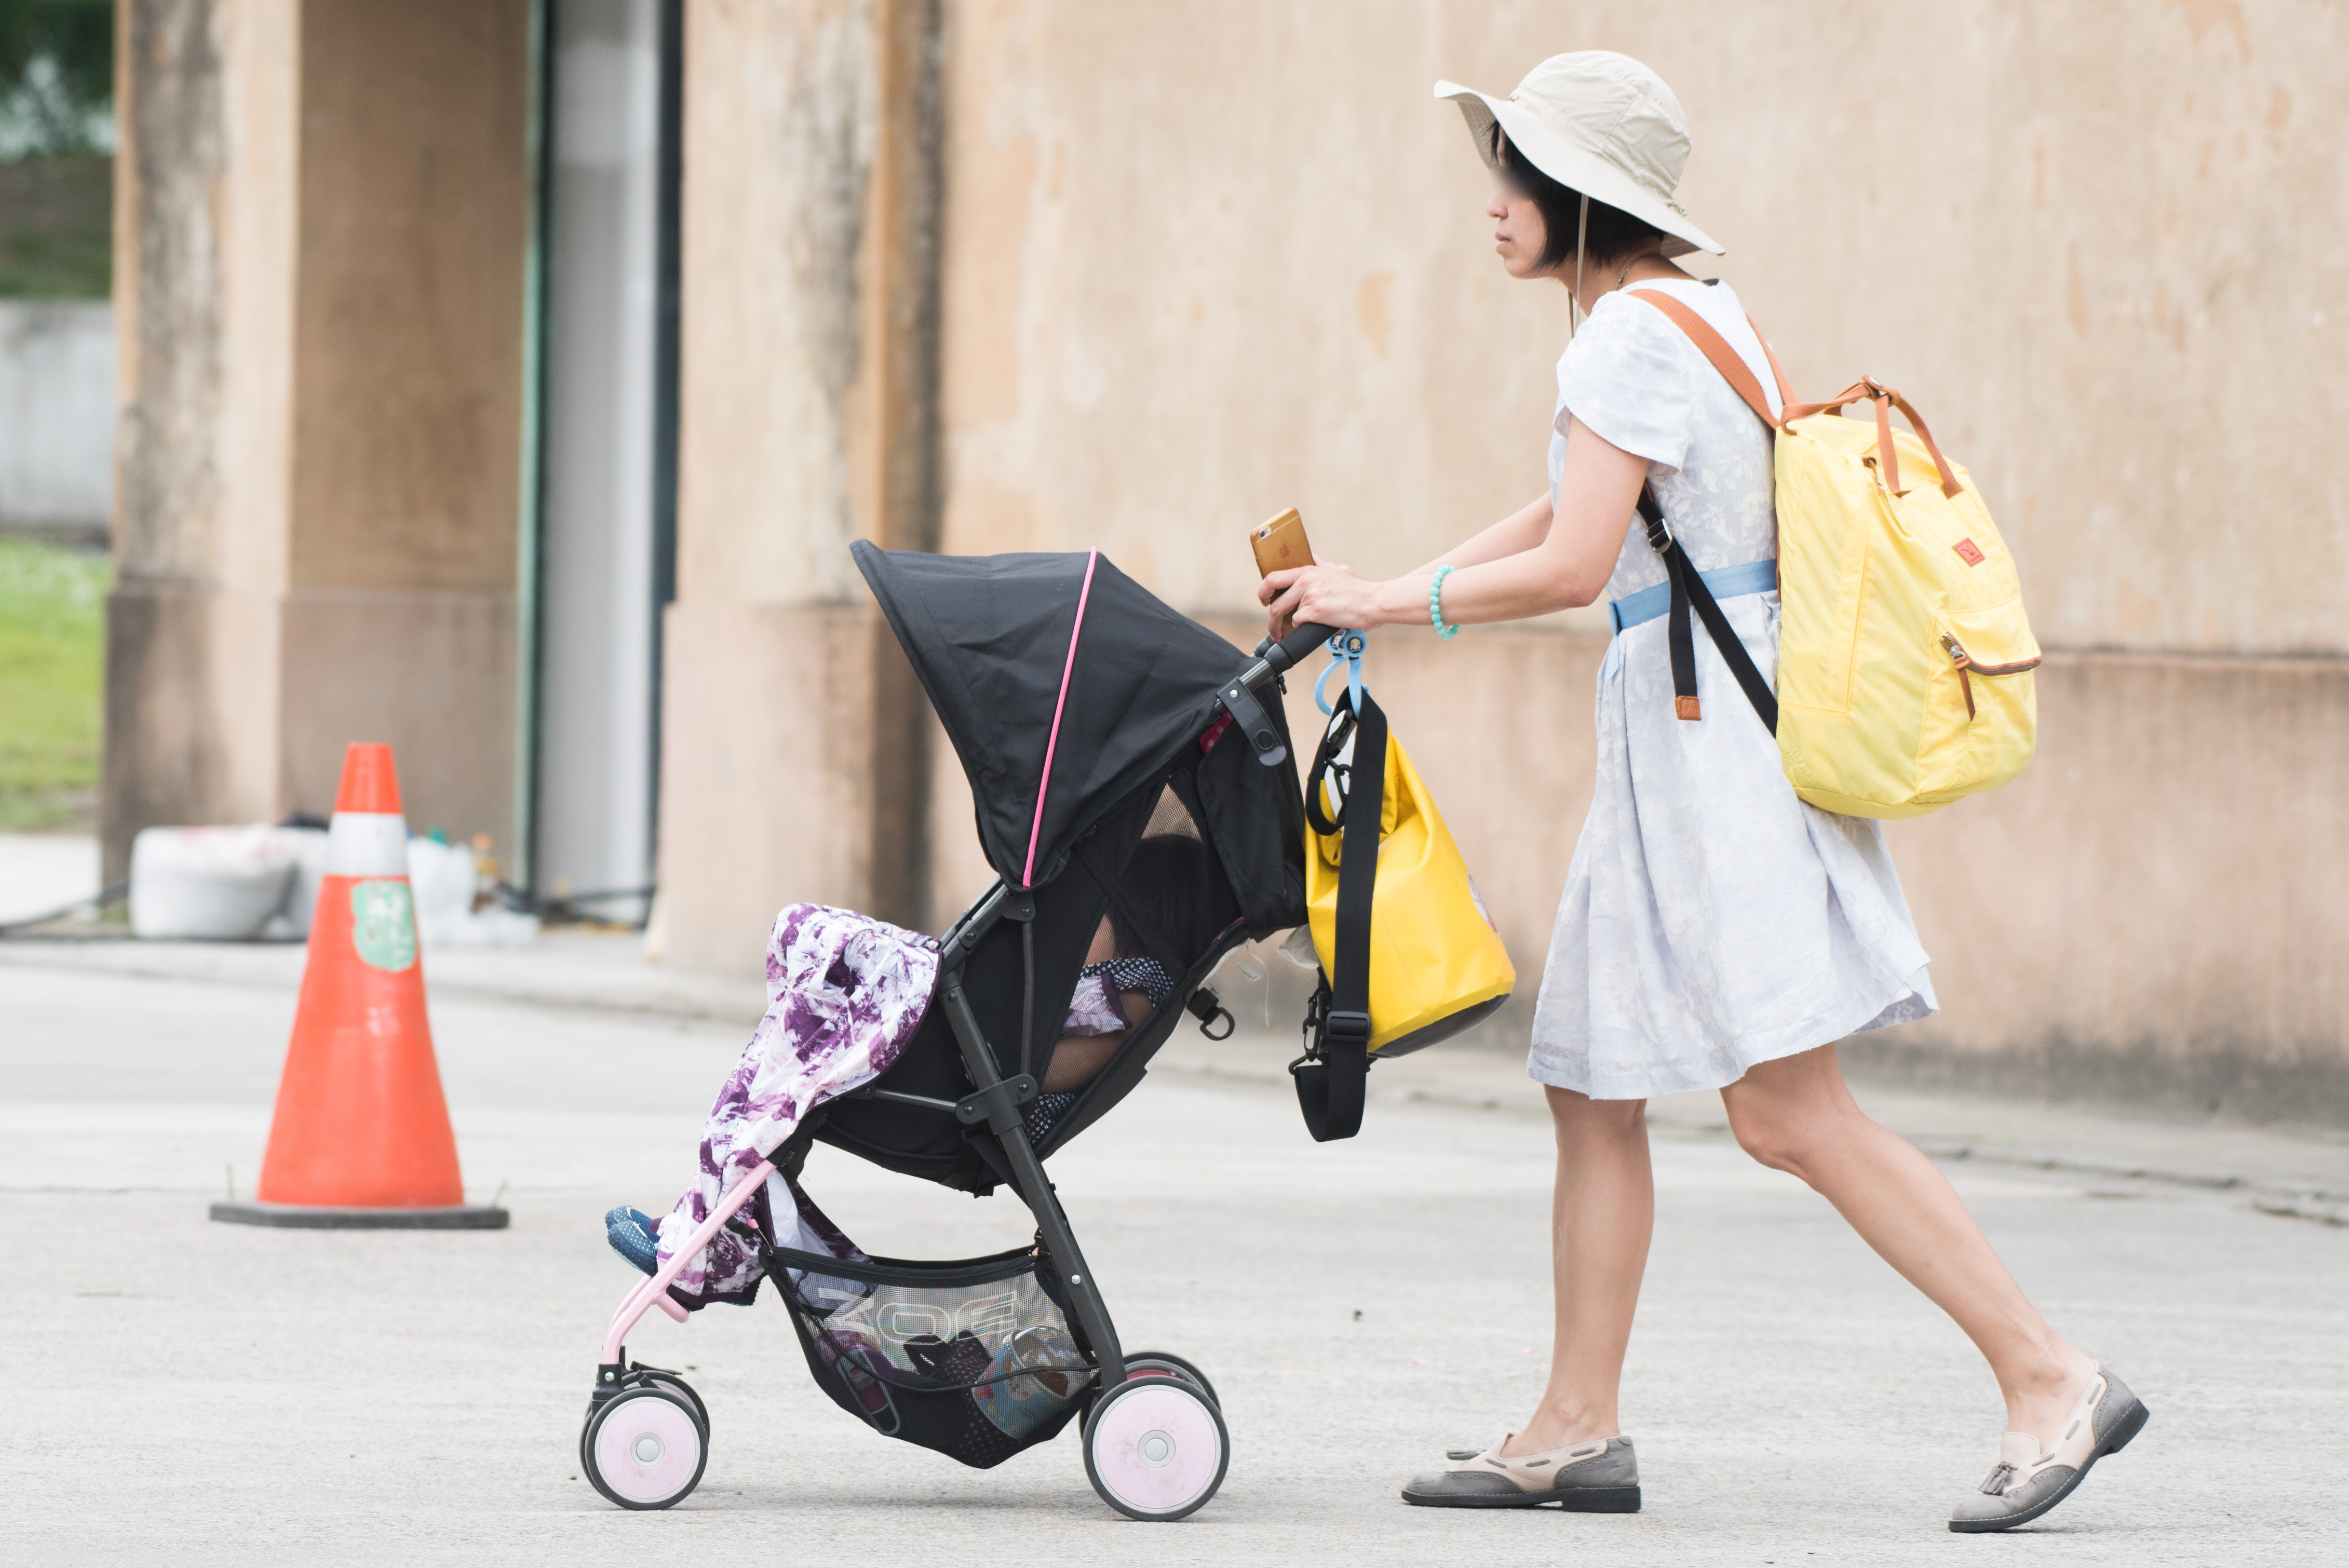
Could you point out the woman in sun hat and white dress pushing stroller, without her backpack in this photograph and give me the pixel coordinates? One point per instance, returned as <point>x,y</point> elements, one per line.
<point>1716,931</point>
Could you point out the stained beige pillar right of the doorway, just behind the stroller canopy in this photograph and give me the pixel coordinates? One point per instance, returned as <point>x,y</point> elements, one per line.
<point>793,731</point>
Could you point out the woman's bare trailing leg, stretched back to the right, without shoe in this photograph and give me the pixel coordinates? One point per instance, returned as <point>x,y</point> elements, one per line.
<point>1798,1116</point>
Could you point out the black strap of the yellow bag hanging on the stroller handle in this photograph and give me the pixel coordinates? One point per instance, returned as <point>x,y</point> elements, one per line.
<point>1331,1076</point>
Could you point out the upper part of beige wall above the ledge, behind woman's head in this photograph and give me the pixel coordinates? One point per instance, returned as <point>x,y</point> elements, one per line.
<point>1213,259</point>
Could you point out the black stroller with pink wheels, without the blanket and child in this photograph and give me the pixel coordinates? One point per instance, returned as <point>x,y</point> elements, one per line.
<point>1082,710</point>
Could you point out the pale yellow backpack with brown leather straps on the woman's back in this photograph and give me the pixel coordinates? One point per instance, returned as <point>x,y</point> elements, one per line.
<point>1904,651</point>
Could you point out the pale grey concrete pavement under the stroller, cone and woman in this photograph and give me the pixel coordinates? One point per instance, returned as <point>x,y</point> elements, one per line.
<point>203,1393</point>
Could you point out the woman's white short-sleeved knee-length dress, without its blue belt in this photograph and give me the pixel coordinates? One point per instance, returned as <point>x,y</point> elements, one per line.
<point>1711,919</point>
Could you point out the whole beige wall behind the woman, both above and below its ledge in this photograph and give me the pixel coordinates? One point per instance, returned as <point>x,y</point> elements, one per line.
<point>1209,262</point>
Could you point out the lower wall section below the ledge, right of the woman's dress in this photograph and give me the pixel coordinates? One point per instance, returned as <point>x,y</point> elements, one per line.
<point>2155,910</point>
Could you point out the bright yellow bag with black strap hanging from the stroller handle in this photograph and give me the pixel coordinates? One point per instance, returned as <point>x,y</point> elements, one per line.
<point>1406,947</point>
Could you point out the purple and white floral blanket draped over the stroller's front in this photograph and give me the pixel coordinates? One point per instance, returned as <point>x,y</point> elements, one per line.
<point>844,994</point>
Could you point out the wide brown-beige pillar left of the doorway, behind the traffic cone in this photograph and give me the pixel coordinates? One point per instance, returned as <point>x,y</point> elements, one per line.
<point>321,262</point>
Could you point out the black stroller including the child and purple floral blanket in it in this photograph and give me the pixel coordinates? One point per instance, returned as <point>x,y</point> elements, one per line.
<point>1084,712</point>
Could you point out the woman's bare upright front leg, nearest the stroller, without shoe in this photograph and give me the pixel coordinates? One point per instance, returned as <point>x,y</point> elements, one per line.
<point>1601,1222</point>
